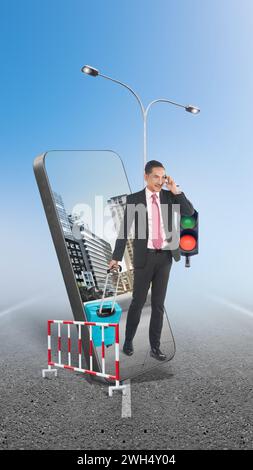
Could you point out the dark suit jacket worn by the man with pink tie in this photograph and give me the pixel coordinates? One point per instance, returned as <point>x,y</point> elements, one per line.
<point>167,198</point>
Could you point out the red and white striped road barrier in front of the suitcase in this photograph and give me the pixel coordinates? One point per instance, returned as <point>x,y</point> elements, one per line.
<point>90,371</point>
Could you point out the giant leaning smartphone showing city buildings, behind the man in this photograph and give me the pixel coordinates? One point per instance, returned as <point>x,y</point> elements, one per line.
<point>84,196</point>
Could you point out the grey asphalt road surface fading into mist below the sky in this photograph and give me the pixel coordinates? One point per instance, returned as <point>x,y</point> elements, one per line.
<point>201,399</point>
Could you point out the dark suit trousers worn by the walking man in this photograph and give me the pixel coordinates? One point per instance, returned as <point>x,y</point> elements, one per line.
<point>156,270</point>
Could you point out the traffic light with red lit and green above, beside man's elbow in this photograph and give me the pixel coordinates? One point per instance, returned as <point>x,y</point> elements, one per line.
<point>189,228</point>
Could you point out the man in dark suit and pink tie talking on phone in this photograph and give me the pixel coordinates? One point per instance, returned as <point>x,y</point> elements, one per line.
<point>152,252</point>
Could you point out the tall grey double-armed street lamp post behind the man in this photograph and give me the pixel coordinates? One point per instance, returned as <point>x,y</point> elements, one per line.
<point>189,108</point>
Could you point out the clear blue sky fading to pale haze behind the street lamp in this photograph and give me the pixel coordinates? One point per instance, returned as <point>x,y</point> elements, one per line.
<point>188,51</point>
